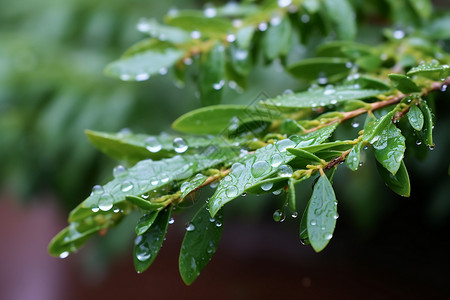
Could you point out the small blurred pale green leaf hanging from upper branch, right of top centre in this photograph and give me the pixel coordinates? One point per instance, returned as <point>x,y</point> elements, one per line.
<point>277,39</point>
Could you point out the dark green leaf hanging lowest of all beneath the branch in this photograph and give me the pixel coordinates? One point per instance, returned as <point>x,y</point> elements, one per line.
<point>200,243</point>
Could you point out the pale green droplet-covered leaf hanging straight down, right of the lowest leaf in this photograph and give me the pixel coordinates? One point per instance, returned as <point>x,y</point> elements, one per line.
<point>321,215</point>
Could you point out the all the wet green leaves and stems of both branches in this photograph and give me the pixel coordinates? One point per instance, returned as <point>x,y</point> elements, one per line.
<point>274,144</point>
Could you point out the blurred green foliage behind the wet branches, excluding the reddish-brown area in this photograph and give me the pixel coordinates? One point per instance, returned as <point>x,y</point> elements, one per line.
<point>52,88</point>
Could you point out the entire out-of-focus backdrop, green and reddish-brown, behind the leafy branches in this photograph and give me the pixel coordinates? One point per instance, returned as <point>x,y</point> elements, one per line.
<point>52,88</point>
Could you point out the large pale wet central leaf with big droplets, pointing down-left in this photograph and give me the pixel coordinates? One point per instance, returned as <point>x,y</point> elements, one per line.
<point>261,165</point>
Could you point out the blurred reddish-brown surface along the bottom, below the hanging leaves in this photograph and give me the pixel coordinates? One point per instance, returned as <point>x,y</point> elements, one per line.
<point>259,261</point>
